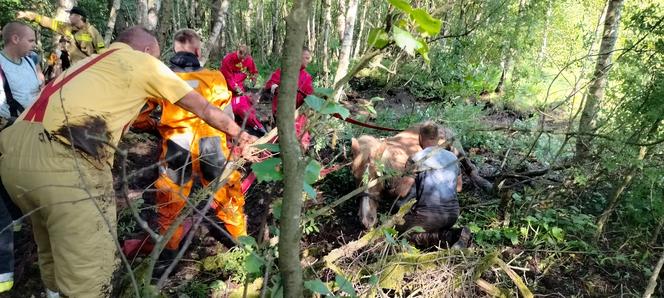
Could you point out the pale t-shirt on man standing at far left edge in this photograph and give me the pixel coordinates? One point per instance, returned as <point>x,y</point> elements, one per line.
<point>23,82</point>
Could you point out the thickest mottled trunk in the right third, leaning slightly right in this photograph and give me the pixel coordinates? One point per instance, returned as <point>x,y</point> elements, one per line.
<point>596,89</point>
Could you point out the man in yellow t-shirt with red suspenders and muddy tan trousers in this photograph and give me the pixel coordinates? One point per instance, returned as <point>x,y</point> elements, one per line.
<point>57,157</point>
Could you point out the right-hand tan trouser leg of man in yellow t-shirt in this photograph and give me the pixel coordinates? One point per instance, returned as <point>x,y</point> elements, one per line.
<point>82,234</point>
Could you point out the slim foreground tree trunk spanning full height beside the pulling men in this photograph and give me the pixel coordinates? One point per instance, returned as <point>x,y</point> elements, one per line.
<point>293,161</point>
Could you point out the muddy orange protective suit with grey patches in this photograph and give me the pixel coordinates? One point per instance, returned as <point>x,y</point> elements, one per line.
<point>193,155</point>
